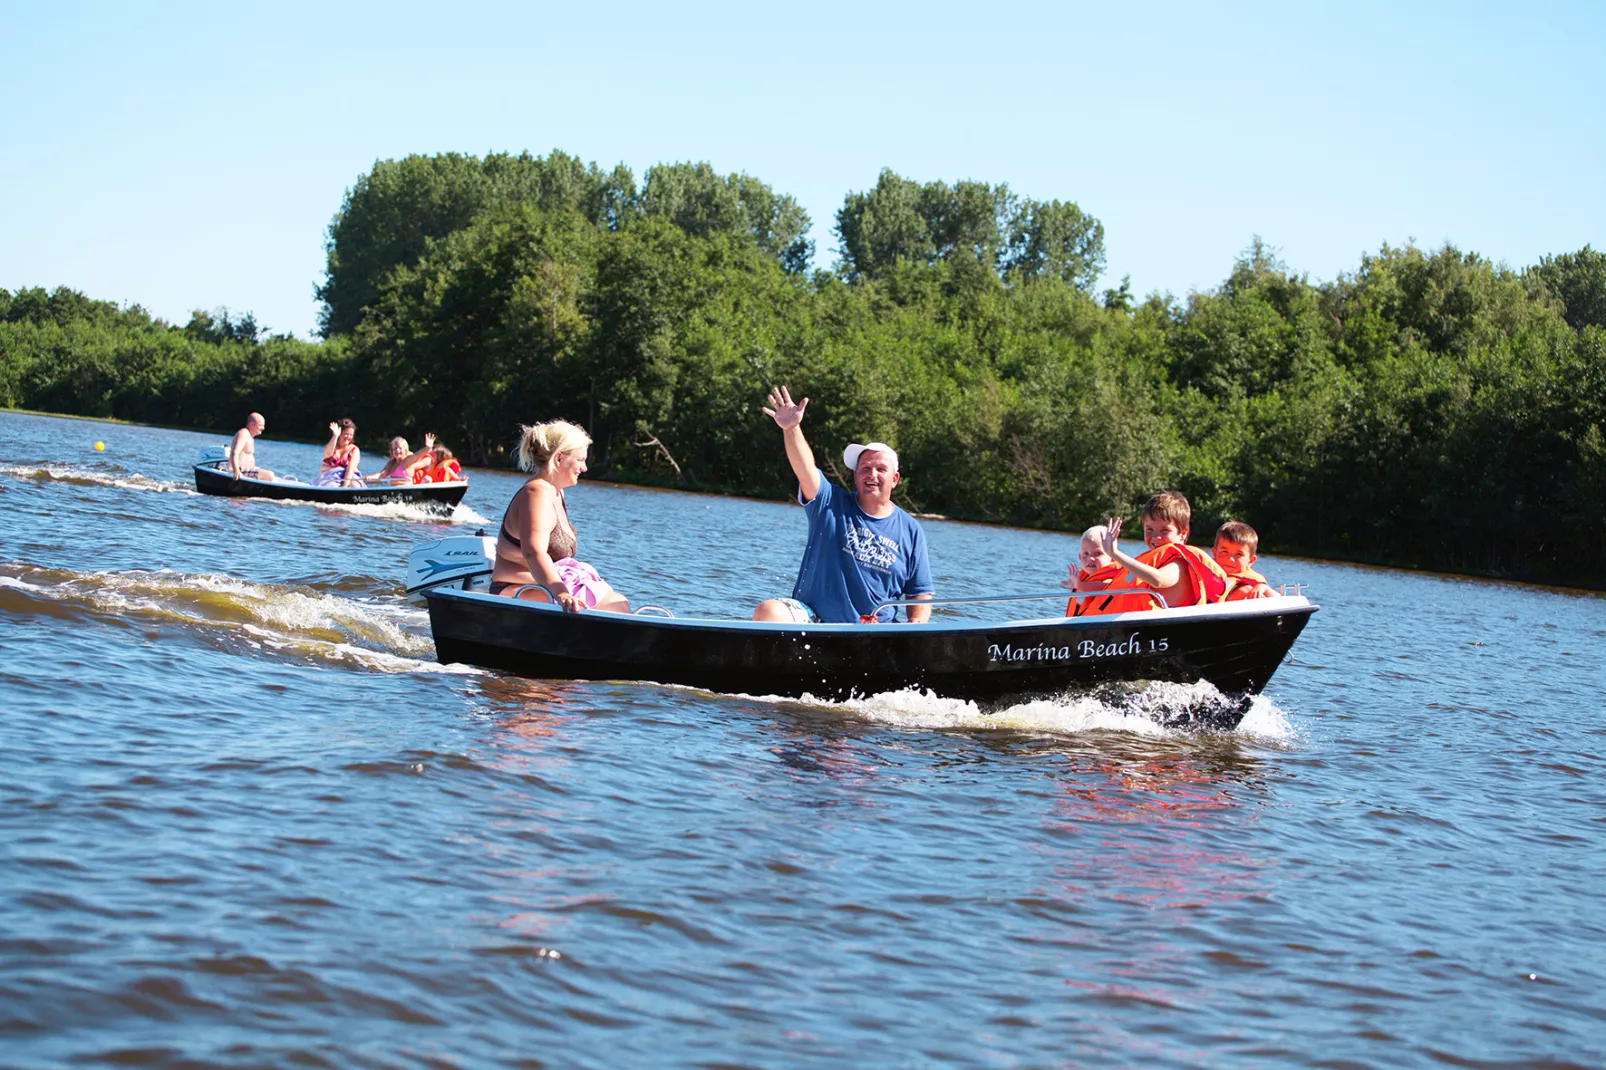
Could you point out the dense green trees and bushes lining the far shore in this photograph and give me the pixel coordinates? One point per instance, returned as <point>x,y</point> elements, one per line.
<point>1427,410</point>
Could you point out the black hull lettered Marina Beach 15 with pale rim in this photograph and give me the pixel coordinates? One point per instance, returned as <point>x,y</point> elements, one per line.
<point>1234,647</point>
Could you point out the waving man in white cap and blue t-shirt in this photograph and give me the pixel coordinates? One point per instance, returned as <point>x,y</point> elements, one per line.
<point>862,549</point>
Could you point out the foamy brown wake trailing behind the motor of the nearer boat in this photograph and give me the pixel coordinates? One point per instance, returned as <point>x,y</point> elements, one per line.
<point>232,615</point>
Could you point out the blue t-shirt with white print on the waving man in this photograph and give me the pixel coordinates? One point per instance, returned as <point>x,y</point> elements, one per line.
<point>855,562</point>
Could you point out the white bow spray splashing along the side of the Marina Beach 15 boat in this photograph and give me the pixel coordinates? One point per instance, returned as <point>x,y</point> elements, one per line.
<point>1157,709</point>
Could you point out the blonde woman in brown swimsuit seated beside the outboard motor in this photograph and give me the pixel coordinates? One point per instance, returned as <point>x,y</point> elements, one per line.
<point>537,542</point>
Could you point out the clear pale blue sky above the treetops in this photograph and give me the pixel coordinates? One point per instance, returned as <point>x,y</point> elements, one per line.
<point>192,155</point>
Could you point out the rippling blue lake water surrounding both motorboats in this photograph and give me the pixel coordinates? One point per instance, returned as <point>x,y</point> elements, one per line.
<point>248,820</point>
